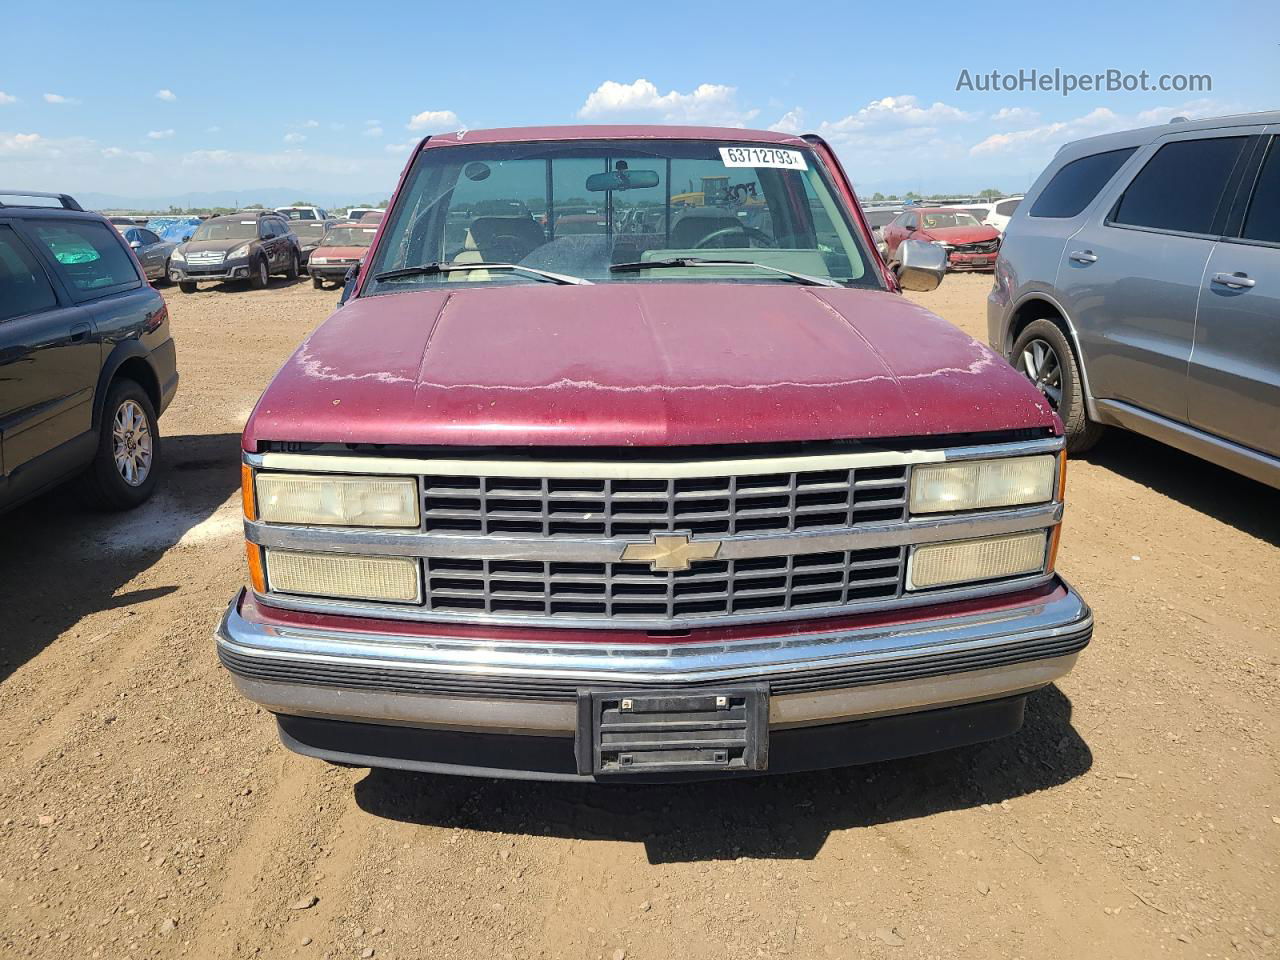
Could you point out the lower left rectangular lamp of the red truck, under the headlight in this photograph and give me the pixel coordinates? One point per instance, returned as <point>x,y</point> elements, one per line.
<point>391,579</point>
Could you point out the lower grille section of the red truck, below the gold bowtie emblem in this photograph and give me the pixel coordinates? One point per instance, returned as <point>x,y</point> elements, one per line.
<point>621,592</point>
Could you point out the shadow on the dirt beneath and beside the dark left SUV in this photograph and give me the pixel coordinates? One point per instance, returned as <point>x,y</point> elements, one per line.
<point>62,561</point>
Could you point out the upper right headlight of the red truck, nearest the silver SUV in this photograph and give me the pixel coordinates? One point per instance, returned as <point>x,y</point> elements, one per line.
<point>979,484</point>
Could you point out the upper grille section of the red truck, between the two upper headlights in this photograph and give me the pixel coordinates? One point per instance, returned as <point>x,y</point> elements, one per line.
<point>701,506</point>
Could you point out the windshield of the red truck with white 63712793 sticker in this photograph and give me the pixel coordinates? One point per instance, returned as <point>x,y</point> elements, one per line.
<point>578,208</point>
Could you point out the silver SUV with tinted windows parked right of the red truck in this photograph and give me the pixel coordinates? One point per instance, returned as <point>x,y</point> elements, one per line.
<point>1139,286</point>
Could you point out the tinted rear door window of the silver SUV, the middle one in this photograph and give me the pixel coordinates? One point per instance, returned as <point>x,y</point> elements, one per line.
<point>1182,186</point>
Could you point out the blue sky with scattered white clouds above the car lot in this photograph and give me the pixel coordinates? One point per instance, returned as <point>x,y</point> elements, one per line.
<point>125,99</point>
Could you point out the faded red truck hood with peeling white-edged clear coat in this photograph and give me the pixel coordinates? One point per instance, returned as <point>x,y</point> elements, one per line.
<point>644,364</point>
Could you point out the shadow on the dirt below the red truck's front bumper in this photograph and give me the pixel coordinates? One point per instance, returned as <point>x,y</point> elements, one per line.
<point>785,817</point>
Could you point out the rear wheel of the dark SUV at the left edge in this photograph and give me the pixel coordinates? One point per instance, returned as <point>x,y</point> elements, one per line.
<point>124,473</point>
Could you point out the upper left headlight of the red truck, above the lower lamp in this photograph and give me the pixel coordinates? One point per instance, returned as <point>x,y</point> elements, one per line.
<point>340,501</point>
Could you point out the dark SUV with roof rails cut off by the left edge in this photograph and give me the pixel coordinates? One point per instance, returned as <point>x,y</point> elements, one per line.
<point>88,364</point>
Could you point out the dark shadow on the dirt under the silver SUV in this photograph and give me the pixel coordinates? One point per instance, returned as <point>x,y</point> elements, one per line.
<point>1249,506</point>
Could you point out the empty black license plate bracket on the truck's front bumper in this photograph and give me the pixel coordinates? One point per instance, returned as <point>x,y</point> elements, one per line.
<point>637,733</point>
